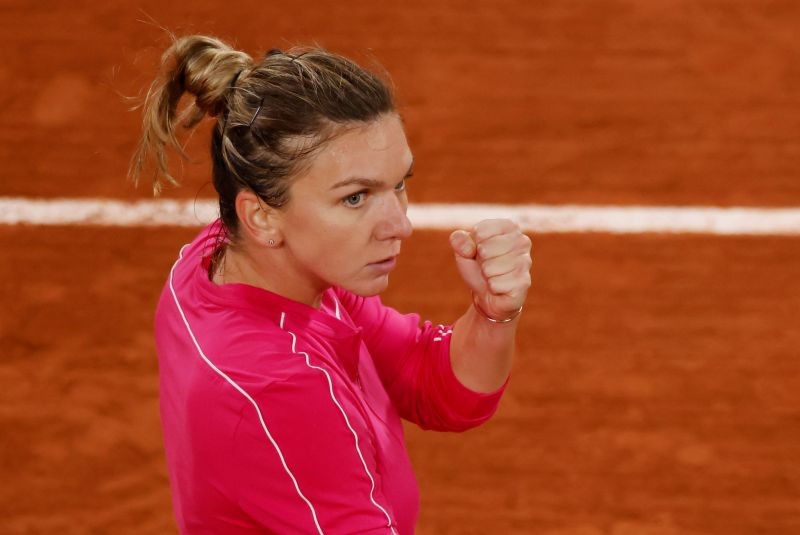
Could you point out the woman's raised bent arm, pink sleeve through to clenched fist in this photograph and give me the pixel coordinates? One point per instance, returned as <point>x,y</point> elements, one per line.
<point>444,382</point>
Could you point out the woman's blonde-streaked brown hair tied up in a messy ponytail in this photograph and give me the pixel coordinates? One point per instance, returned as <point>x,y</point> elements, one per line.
<point>272,115</point>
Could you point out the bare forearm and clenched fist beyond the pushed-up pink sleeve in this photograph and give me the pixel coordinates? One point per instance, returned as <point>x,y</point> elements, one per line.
<point>494,260</point>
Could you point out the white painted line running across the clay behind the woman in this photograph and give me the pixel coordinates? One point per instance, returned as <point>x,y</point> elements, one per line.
<point>531,217</point>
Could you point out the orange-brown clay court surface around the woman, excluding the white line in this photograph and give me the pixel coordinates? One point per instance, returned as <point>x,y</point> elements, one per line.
<point>657,385</point>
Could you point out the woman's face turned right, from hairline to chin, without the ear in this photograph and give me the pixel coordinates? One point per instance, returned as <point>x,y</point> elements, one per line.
<point>346,215</point>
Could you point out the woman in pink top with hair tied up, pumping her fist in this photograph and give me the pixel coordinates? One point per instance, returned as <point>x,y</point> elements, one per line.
<point>283,377</point>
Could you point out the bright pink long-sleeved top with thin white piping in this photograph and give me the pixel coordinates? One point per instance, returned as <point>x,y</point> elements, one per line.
<point>281,418</point>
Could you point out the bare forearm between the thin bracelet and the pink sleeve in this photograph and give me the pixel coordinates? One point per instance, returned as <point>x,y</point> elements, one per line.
<point>481,352</point>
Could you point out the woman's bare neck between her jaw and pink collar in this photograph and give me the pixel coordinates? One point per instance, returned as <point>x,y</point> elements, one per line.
<point>270,269</point>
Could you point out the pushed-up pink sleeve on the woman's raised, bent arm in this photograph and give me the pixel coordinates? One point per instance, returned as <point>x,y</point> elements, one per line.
<point>413,361</point>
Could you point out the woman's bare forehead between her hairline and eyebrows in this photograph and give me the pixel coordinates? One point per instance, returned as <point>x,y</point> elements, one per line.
<point>377,150</point>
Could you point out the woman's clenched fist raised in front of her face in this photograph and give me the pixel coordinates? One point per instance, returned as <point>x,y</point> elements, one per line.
<point>494,259</point>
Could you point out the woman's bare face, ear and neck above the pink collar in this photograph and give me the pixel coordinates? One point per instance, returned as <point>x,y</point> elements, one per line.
<point>346,213</point>
